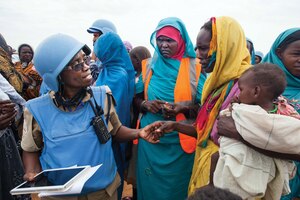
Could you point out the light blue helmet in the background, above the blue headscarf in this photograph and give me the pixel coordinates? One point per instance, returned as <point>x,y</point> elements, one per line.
<point>103,26</point>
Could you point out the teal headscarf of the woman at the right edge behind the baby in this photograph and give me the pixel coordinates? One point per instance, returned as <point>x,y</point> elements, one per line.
<point>292,90</point>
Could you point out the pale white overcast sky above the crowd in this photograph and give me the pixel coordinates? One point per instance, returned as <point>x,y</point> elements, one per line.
<point>30,21</point>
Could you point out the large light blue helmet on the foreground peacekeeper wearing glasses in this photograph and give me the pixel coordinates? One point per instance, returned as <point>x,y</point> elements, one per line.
<point>54,54</point>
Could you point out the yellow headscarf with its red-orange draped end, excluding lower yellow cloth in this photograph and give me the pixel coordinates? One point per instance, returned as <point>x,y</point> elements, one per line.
<point>228,44</point>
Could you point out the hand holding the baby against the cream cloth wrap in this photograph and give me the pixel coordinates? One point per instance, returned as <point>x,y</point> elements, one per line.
<point>226,127</point>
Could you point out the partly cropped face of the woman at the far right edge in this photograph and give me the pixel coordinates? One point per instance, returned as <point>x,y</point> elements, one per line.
<point>290,57</point>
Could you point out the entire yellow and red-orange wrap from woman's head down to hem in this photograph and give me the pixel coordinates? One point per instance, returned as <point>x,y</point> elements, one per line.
<point>232,59</point>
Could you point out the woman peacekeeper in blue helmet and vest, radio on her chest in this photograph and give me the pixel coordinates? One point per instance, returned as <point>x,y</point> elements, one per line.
<point>73,123</point>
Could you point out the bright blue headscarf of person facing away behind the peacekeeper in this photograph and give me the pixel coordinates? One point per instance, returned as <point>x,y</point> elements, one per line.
<point>118,72</point>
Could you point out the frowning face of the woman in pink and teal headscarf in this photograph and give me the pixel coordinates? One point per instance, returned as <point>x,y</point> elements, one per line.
<point>167,46</point>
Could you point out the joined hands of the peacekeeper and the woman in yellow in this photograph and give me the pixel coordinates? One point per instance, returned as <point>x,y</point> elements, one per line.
<point>153,132</point>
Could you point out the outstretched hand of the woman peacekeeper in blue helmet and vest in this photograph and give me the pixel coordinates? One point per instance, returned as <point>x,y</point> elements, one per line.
<point>148,133</point>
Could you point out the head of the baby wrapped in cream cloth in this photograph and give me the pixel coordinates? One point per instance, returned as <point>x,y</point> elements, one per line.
<point>261,84</point>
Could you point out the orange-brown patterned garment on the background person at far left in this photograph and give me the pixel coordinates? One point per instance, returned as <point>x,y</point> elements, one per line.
<point>32,80</point>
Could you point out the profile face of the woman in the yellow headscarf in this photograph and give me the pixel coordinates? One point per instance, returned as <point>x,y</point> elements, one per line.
<point>202,49</point>
